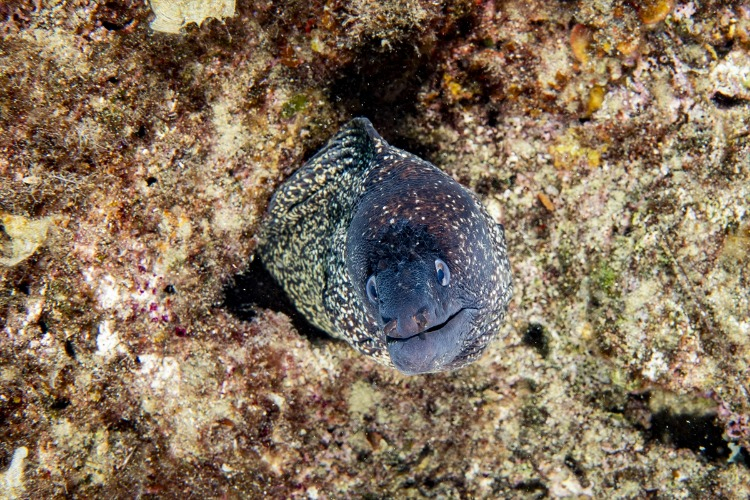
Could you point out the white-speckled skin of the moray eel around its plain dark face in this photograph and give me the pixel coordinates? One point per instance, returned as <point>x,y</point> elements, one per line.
<point>325,223</point>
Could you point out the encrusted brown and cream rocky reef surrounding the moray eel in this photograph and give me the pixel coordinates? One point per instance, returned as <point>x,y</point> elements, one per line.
<point>611,138</point>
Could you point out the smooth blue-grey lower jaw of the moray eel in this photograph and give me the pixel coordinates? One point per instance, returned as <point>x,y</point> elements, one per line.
<point>434,349</point>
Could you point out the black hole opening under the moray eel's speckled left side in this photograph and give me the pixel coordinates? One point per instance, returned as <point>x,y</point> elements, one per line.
<point>256,289</point>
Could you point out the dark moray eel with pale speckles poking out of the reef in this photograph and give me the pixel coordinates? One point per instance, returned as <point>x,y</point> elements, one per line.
<point>381,248</point>
